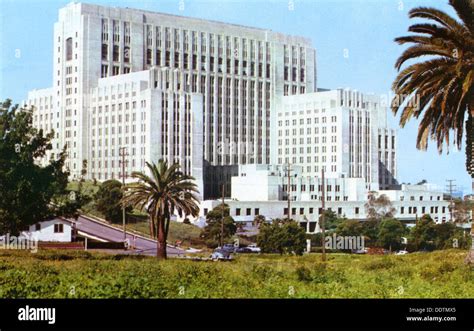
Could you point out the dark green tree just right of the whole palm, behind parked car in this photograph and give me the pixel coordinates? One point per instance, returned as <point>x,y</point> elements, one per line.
<point>213,230</point>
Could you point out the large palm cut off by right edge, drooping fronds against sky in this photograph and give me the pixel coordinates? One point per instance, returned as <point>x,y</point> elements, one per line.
<point>441,88</point>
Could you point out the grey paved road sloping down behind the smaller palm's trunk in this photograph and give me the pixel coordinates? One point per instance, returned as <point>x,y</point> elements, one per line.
<point>103,231</point>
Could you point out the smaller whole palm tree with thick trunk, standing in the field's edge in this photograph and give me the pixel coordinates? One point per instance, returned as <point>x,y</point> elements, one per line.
<point>165,192</point>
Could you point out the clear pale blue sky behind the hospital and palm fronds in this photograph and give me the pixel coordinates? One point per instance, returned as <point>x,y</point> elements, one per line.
<point>364,30</point>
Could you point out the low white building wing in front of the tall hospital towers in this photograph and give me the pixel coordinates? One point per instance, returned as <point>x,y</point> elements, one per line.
<point>261,190</point>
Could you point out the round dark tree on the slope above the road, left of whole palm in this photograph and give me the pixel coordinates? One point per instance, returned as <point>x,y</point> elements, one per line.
<point>108,201</point>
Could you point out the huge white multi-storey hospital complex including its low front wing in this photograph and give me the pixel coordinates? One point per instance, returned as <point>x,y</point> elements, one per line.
<point>227,102</point>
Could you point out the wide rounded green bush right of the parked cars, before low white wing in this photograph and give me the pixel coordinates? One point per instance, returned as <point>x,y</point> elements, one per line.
<point>282,236</point>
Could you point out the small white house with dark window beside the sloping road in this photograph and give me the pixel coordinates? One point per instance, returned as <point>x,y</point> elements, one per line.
<point>55,230</point>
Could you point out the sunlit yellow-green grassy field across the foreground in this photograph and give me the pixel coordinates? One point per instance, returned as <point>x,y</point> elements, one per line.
<point>56,274</point>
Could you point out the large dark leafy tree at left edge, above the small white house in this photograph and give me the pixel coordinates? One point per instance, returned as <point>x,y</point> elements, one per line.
<point>29,192</point>
